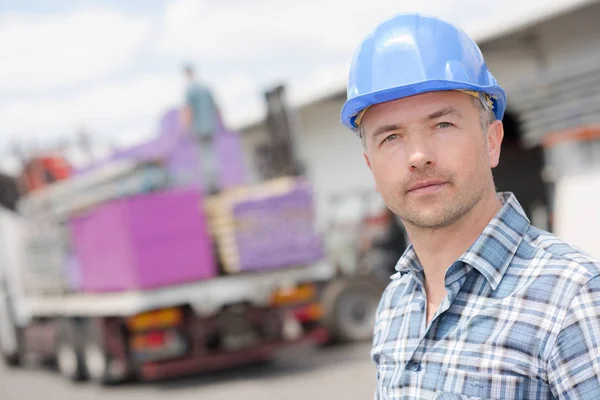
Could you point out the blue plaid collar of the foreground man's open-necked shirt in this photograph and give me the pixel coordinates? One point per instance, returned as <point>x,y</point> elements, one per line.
<point>494,249</point>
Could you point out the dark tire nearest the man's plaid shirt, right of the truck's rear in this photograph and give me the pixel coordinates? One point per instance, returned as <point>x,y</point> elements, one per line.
<point>350,308</point>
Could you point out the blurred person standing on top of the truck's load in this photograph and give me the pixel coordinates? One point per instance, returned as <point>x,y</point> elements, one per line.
<point>201,118</point>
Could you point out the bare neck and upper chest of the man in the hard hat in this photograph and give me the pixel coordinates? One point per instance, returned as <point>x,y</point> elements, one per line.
<point>437,249</point>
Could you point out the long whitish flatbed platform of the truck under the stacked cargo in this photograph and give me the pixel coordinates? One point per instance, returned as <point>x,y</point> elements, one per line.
<point>205,297</point>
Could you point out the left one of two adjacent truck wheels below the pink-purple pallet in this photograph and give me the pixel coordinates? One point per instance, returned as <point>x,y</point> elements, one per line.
<point>68,352</point>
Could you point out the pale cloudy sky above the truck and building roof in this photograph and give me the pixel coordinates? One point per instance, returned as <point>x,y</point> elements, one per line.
<point>114,67</point>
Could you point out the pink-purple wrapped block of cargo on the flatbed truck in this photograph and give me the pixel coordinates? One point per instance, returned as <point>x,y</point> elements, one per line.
<point>143,242</point>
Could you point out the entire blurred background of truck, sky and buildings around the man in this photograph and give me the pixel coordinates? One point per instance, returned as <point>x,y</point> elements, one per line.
<point>184,215</point>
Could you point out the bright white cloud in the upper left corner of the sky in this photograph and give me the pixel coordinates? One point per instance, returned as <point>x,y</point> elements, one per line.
<point>58,51</point>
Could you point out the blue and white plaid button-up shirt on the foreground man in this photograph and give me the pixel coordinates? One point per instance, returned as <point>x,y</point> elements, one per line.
<point>521,320</point>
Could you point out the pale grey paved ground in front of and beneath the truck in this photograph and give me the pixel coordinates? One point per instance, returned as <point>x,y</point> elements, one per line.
<point>340,372</point>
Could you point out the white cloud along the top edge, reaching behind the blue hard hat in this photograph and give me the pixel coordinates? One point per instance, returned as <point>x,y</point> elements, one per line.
<point>245,31</point>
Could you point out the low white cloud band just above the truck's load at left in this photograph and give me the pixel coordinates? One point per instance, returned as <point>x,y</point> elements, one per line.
<point>107,108</point>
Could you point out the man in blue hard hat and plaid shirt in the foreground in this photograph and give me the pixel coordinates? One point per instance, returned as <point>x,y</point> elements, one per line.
<point>483,305</point>
